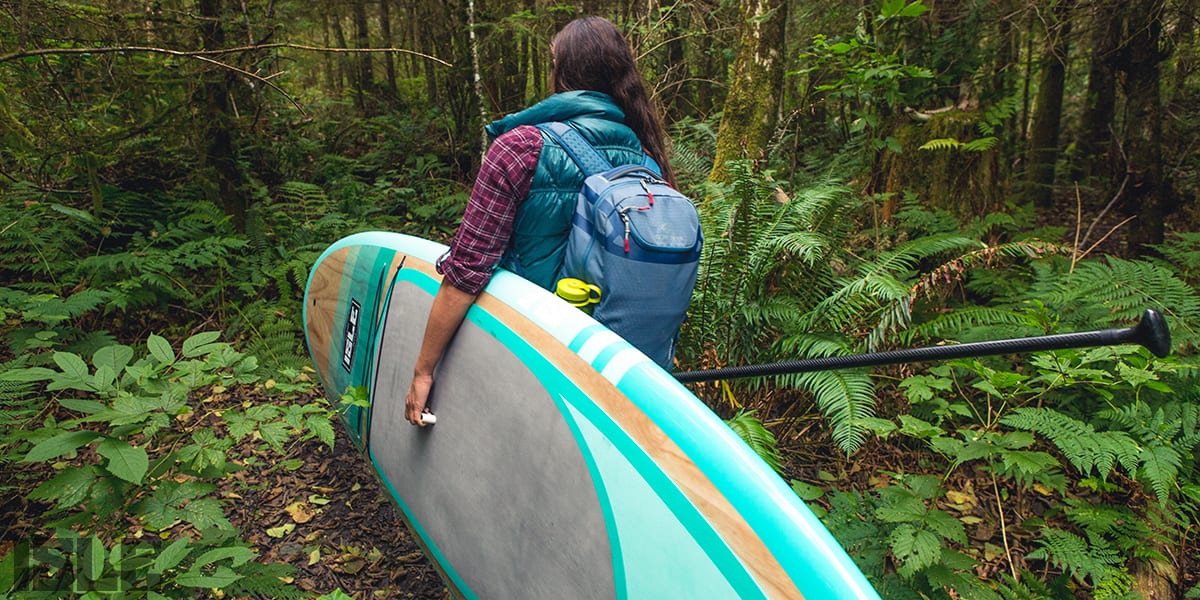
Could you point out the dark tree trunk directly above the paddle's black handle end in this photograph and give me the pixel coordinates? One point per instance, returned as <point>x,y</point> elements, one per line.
<point>1147,193</point>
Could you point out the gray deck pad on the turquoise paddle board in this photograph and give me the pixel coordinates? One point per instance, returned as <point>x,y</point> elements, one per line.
<point>501,446</point>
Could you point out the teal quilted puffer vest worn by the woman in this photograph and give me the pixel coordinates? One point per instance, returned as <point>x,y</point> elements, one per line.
<point>544,220</point>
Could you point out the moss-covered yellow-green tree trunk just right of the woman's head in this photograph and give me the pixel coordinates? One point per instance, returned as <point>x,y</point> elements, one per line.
<point>752,107</point>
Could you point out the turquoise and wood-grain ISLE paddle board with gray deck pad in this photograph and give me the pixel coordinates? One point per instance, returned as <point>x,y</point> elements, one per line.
<point>565,464</point>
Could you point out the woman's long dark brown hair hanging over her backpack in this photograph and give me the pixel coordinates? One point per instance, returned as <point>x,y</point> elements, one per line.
<point>592,55</point>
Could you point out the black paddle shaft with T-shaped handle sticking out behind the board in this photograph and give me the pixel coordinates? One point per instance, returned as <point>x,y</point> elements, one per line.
<point>1151,333</point>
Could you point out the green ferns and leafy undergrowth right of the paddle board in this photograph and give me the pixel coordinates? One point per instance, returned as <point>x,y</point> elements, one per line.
<point>1054,475</point>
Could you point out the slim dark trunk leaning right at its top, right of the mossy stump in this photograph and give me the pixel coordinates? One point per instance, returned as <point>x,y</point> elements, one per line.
<point>1043,147</point>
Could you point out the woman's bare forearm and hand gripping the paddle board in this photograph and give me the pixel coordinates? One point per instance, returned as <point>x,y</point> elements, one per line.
<point>451,307</point>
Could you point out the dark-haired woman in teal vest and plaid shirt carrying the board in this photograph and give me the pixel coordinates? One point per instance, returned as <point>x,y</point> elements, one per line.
<point>520,211</point>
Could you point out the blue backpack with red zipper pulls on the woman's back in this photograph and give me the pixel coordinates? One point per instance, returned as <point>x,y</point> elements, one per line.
<point>639,241</point>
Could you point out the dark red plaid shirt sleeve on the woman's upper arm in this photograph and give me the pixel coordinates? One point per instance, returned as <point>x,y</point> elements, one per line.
<point>503,183</point>
